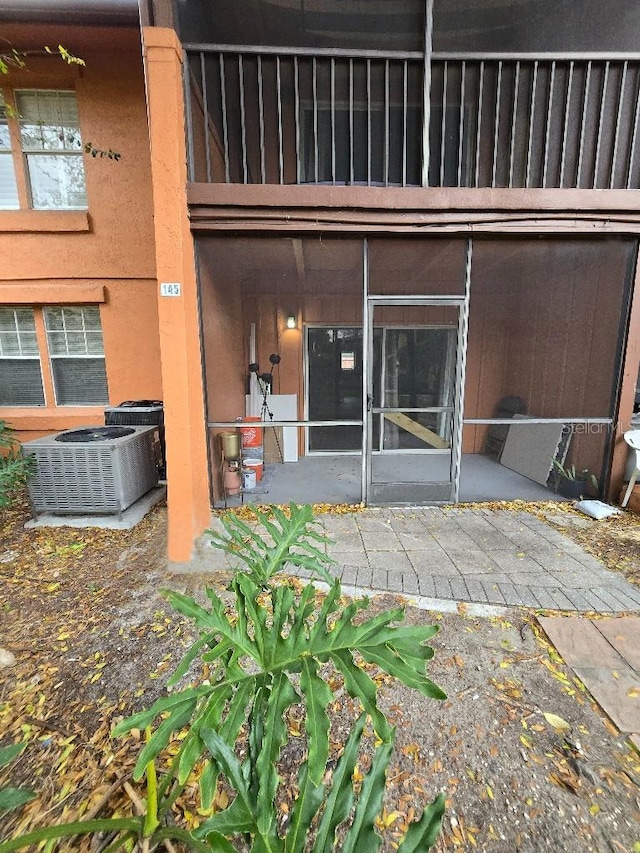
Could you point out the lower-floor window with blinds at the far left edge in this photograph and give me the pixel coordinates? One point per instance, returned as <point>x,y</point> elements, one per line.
<point>20,369</point>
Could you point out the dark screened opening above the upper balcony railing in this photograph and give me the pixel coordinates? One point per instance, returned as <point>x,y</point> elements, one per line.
<point>459,25</point>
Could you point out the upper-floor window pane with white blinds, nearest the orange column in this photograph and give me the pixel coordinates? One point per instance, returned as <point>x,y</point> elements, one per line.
<point>52,147</point>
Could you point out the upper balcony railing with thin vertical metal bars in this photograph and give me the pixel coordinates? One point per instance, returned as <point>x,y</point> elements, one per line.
<point>277,116</point>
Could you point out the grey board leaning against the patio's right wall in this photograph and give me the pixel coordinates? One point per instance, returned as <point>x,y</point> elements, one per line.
<point>529,449</point>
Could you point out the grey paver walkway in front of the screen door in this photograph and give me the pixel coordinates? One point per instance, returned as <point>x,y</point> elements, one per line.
<point>473,555</point>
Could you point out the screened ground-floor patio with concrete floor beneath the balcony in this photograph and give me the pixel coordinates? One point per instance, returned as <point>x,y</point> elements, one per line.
<point>413,369</point>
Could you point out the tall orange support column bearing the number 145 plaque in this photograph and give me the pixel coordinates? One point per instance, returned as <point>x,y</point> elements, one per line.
<point>187,470</point>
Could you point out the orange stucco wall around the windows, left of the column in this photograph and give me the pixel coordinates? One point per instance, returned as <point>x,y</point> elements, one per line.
<point>104,255</point>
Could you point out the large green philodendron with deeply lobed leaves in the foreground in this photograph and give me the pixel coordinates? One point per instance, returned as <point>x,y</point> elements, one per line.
<point>272,649</point>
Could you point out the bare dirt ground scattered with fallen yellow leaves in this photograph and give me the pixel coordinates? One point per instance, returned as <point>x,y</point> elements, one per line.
<point>94,640</point>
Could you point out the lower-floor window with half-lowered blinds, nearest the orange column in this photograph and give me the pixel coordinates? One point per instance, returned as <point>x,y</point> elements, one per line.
<point>76,352</point>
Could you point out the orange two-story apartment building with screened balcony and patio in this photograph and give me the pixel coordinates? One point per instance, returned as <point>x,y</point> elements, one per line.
<point>428,210</point>
